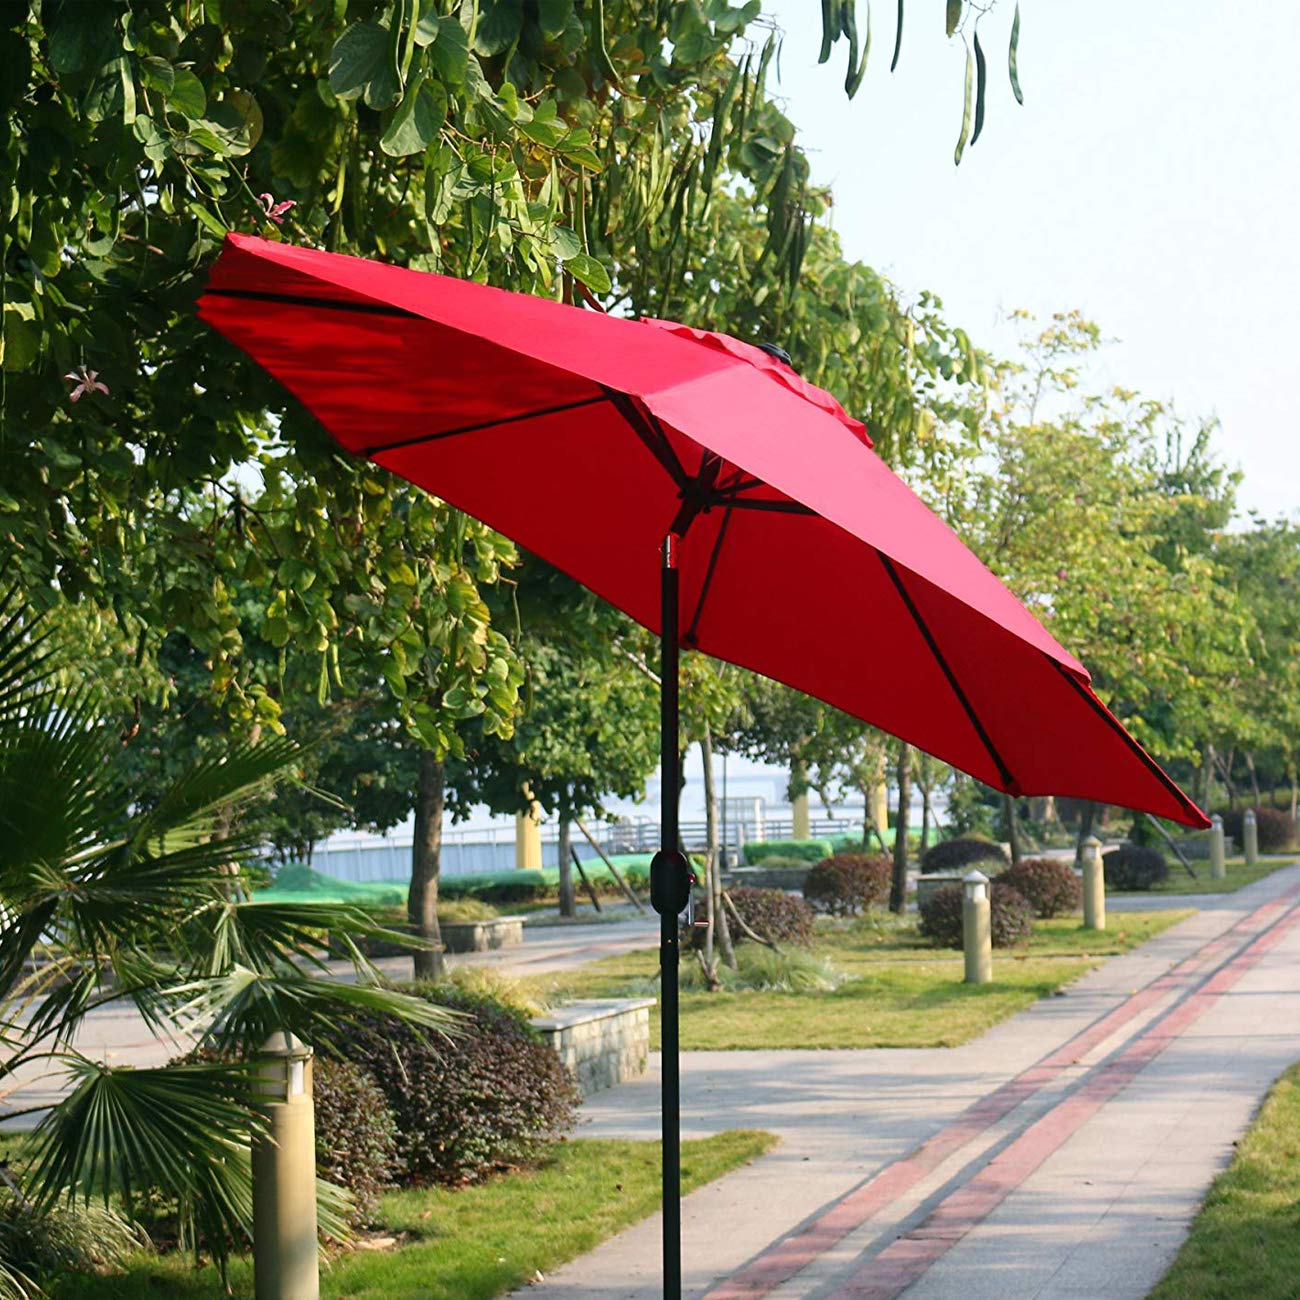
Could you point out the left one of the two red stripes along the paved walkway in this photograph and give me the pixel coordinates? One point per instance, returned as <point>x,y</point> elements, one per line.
<point>779,1264</point>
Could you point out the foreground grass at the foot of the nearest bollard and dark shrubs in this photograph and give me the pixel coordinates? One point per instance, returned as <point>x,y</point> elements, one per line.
<point>478,1242</point>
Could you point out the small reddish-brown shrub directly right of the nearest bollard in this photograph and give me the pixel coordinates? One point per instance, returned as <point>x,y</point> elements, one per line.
<point>357,1137</point>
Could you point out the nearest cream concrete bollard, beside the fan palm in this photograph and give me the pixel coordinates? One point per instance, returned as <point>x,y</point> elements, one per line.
<point>285,1258</point>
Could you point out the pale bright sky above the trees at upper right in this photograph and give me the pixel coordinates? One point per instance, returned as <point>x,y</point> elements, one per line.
<point>1151,180</point>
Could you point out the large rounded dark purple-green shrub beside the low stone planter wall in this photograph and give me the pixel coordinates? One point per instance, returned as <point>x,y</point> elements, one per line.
<point>489,1099</point>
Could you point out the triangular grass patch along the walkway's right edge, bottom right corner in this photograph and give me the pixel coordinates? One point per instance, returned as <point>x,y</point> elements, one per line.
<point>1245,1241</point>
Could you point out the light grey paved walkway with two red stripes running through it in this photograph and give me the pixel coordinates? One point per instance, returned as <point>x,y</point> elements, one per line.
<point>1061,1155</point>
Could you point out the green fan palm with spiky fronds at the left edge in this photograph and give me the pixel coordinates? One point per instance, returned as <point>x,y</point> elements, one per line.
<point>106,900</point>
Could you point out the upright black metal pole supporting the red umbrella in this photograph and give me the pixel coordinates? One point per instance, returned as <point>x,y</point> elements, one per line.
<point>670,768</point>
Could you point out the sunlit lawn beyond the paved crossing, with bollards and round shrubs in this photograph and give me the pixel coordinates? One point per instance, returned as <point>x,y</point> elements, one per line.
<point>904,994</point>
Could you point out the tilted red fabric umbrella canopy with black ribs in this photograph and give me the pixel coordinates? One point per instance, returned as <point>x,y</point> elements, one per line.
<point>588,439</point>
